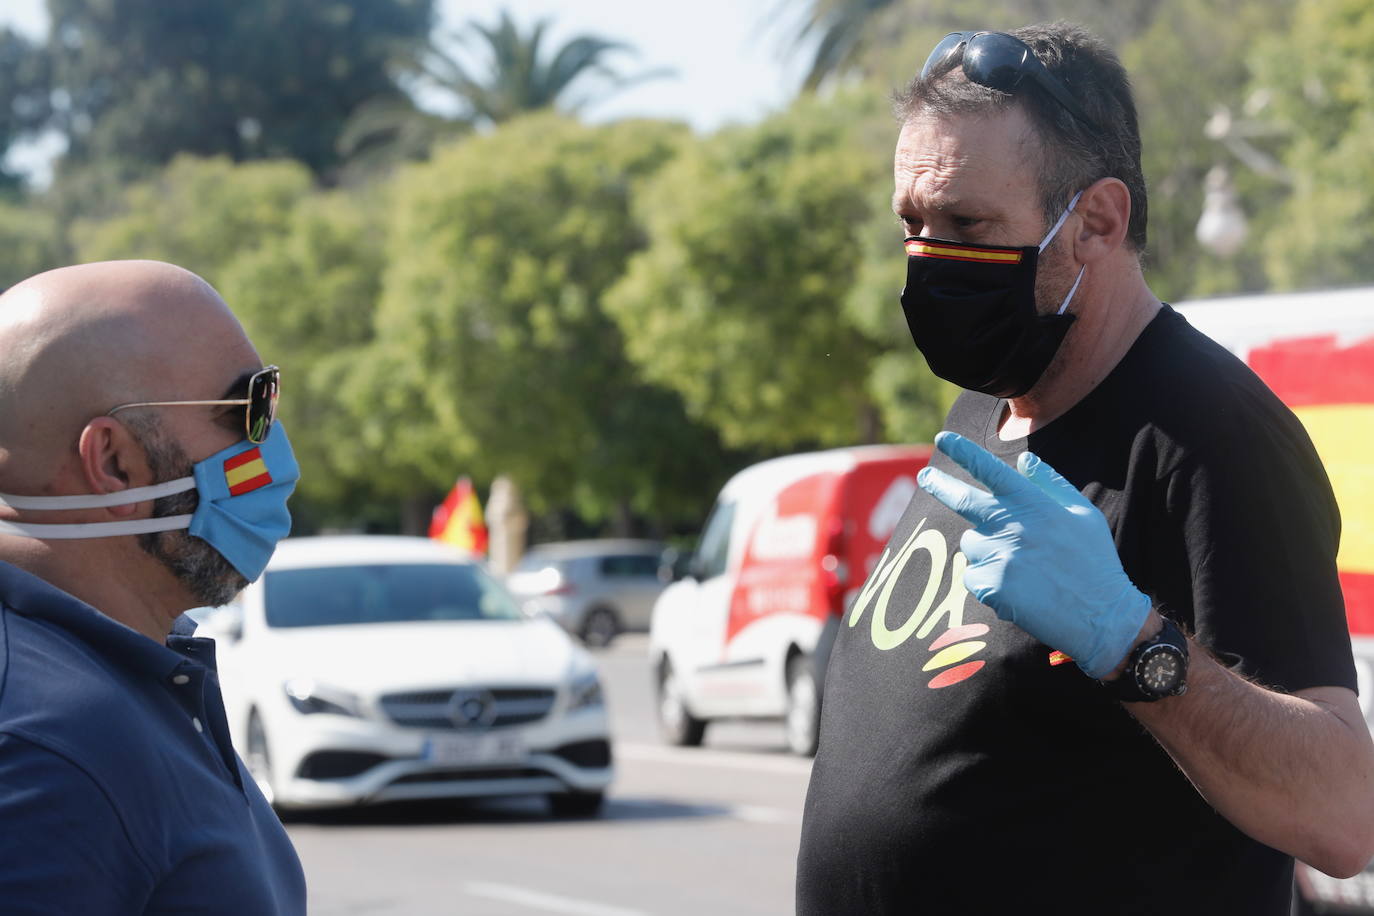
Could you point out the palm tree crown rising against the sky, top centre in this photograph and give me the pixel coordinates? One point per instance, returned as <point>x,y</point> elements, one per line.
<point>519,76</point>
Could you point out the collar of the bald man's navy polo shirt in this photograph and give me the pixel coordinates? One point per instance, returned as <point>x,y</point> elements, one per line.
<point>32,597</point>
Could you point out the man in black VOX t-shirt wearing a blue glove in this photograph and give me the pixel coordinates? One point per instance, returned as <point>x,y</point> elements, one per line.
<point>1138,698</point>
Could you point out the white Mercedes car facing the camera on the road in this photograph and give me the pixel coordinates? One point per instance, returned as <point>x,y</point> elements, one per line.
<point>370,669</point>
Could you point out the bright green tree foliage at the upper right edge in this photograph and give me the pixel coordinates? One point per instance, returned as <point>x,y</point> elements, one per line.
<point>1321,79</point>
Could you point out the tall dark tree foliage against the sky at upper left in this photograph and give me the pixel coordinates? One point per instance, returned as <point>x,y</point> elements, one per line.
<point>145,80</point>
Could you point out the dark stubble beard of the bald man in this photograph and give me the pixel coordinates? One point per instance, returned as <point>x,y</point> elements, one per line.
<point>201,569</point>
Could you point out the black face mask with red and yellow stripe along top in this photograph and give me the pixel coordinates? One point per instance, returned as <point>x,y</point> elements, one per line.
<point>972,314</point>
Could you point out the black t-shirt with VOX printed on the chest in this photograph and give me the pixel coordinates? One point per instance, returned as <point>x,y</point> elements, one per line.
<point>967,768</point>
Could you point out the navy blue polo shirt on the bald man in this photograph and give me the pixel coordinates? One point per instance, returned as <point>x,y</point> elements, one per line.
<point>120,792</point>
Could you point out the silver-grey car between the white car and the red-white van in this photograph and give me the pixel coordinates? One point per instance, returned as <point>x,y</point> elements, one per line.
<point>596,588</point>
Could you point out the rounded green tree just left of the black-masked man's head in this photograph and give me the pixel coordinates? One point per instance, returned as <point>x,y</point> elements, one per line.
<point>739,303</point>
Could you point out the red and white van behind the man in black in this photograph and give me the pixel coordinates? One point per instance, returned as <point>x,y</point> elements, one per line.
<point>747,632</point>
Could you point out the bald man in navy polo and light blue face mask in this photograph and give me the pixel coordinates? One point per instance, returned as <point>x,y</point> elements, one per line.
<point>142,474</point>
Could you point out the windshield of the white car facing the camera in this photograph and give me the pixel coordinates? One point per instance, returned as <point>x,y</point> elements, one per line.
<point>384,594</point>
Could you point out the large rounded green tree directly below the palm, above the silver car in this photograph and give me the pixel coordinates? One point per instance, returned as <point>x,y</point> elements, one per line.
<point>494,352</point>
